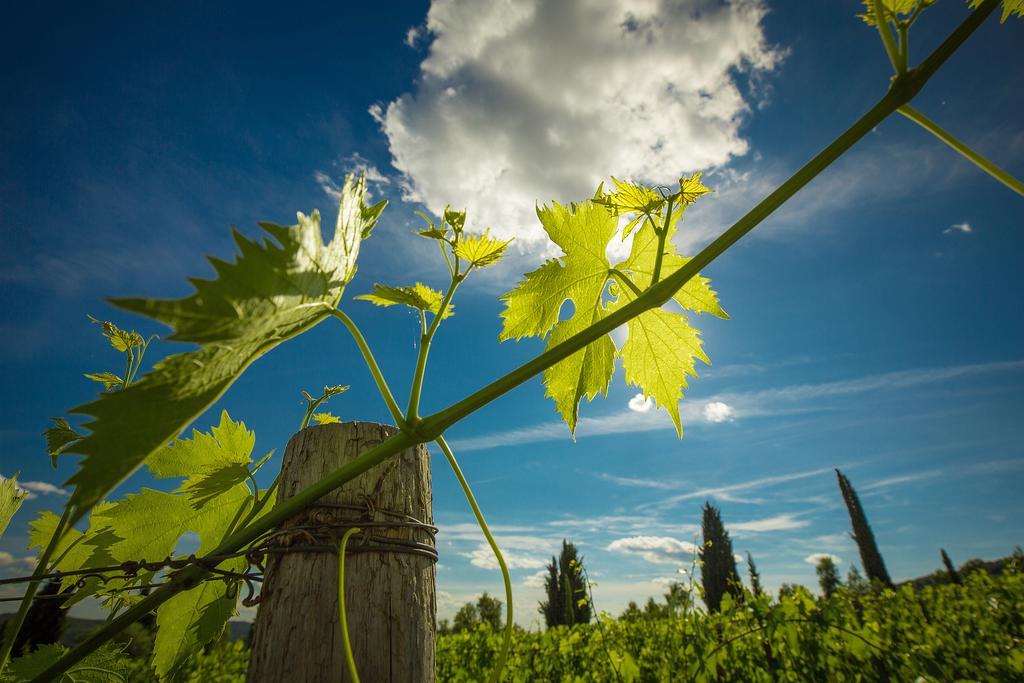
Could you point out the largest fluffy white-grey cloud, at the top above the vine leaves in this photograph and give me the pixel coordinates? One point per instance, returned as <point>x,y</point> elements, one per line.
<point>541,100</point>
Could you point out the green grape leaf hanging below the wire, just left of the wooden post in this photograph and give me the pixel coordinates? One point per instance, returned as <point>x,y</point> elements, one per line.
<point>193,619</point>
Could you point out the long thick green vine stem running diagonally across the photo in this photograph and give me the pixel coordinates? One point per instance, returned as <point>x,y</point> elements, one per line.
<point>902,92</point>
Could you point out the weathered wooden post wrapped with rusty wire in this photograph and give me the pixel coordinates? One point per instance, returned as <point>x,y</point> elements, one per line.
<point>390,596</point>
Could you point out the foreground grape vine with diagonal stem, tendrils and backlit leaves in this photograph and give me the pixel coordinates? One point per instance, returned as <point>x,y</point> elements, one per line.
<point>287,284</point>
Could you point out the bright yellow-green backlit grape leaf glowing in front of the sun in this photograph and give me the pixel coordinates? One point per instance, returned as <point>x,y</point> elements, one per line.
<point>662,348</point>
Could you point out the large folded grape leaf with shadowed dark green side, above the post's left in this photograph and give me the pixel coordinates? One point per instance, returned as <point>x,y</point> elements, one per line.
<point>273,292</point>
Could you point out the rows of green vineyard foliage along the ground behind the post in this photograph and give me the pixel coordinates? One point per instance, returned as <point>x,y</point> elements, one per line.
<point>949,632</point>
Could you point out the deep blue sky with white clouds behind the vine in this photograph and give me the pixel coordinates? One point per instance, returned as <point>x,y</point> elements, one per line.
<point>876,323</point>
